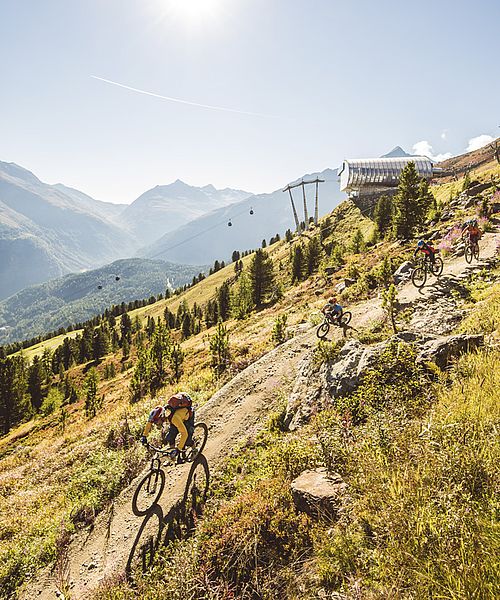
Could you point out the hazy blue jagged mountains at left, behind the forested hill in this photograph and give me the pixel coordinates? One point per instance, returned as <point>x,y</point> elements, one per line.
<point>47,231</point>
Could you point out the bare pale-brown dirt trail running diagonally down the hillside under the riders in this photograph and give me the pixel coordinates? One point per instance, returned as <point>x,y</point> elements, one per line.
<point>231,414</point>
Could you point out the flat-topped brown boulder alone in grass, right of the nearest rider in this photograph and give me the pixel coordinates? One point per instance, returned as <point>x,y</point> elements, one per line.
<point>317,493</point>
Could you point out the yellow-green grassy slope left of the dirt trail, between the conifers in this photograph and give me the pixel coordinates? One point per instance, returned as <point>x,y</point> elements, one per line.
<point>95,472</point>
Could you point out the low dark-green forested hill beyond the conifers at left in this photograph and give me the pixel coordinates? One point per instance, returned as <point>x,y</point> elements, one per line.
<point>78,297</point>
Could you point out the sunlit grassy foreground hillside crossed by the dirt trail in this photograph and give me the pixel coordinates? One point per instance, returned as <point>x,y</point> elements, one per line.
<point>412,439</point>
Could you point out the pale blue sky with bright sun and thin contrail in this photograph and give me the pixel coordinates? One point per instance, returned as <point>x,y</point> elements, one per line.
<point>328,80</point>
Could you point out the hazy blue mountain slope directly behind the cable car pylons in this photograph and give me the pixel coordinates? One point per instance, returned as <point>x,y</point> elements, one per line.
<point>209,238</point>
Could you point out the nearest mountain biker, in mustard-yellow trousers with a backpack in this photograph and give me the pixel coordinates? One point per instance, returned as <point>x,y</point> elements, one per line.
<point>179,414</point>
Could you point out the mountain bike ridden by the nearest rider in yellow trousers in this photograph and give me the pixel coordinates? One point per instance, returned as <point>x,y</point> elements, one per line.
<point>151,486</point>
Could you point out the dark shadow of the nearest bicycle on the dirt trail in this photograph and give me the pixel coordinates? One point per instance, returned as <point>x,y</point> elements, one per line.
<point>158,529</point>
